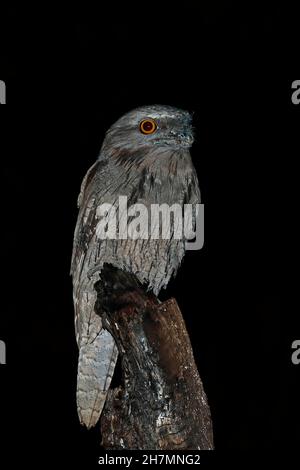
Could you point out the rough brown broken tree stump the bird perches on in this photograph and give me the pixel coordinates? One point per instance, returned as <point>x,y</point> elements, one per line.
<point>163,404</point>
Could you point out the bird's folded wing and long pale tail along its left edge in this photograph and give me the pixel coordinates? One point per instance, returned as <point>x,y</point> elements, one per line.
<point>97,349</point>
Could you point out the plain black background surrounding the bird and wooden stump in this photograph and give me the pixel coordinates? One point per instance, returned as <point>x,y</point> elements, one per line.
<point>69,77</point>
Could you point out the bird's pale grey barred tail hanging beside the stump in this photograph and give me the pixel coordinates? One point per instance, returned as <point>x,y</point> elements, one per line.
<point>96,365</point>
